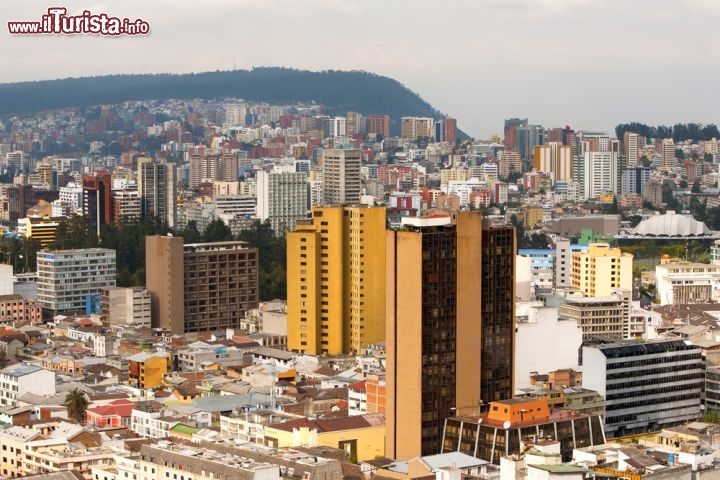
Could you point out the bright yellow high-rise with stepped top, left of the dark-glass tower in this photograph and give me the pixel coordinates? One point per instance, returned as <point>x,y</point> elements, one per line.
<point>336,280</point>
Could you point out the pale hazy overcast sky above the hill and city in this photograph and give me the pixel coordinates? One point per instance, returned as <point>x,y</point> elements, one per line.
<point>586,63</point>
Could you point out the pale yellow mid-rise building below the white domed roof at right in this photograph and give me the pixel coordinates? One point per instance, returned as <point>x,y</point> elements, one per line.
<point>601,269</point>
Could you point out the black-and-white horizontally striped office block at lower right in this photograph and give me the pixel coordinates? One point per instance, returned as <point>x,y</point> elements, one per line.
<point>647,385</point>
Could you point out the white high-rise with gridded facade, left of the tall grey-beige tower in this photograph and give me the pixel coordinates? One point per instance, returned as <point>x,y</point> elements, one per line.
<point>282,198</point>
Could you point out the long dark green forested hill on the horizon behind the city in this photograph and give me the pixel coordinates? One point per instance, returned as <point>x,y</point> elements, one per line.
<point>338,91</point>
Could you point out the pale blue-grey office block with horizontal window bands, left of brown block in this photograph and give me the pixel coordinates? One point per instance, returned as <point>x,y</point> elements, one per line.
<point>66,278</point>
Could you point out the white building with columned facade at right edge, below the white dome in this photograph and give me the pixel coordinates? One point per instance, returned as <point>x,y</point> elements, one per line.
<point>679,282</point>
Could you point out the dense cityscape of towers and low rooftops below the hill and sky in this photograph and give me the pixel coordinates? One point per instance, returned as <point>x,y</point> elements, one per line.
<point>212,289</point>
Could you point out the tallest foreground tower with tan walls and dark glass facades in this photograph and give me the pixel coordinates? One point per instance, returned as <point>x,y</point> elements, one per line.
<point>450,325</point>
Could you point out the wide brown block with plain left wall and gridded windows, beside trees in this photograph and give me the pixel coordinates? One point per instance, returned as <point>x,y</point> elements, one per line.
<point>200,287</point>
